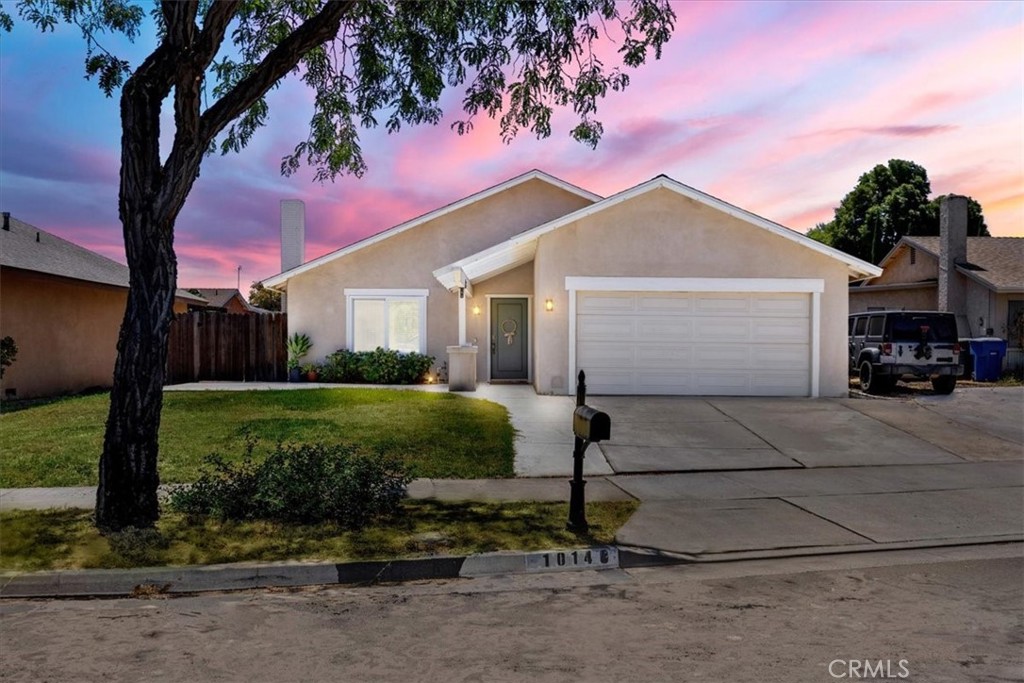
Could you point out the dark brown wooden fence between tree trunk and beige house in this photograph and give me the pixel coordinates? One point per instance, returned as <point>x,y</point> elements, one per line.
<point>210,346</point>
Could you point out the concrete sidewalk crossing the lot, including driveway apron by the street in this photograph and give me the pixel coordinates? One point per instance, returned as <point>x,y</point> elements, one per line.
<point>707,517</point>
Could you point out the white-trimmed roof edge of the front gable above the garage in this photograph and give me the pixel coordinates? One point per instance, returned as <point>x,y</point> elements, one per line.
<point>522,248</point>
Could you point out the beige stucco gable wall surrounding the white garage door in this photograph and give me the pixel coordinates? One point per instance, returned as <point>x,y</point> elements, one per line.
<point>664,235</point>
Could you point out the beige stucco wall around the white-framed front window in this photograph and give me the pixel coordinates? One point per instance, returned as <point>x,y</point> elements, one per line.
<point>317,302</point>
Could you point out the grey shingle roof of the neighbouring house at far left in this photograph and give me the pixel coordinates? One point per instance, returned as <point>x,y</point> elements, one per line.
<point>29,248</point>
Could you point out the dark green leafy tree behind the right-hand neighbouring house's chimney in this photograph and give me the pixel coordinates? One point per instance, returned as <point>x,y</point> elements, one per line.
<point>888,203</point>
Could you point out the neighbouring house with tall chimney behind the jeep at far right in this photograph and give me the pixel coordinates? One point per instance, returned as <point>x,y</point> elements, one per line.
<point>982,280</point>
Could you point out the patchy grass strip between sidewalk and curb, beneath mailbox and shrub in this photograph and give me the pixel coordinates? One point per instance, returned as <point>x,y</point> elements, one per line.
<point>67,540</point>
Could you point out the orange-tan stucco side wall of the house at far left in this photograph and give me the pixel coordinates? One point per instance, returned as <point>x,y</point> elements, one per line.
<point>66,331</point>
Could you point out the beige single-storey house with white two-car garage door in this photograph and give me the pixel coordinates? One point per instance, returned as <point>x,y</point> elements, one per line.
<point>660,289</point>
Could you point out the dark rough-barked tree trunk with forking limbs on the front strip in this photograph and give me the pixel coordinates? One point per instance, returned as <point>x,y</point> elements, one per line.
<point>153,192</point>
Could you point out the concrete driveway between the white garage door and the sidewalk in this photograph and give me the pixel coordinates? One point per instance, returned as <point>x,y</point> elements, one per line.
<point>668,435</point>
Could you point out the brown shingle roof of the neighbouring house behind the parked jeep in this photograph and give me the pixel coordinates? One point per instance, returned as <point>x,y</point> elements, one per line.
<point>996,263</point>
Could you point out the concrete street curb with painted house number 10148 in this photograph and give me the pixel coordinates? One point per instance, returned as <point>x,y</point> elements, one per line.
<point>174,581</point>
